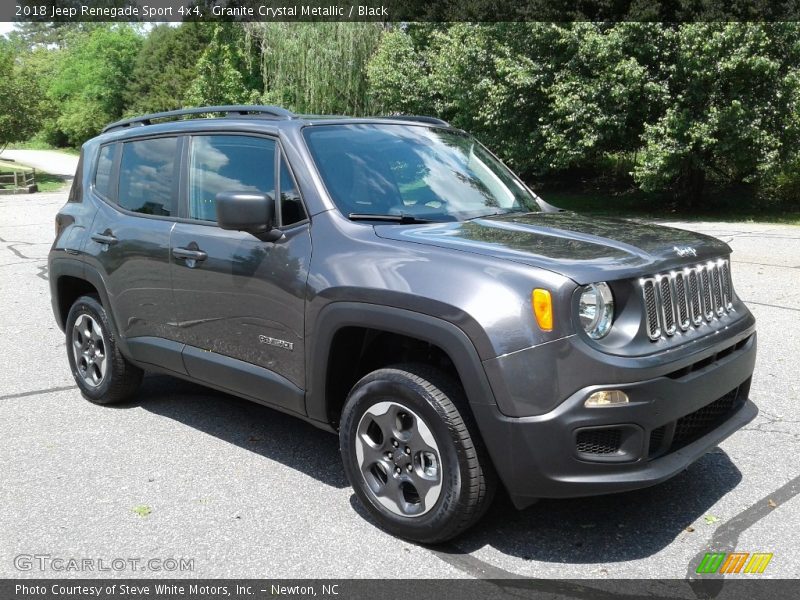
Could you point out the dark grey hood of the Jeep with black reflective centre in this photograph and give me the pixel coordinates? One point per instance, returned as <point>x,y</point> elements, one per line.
<point>584,248</point>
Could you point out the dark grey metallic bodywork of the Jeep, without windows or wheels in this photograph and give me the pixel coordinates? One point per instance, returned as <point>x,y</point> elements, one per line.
<point>462,286</point>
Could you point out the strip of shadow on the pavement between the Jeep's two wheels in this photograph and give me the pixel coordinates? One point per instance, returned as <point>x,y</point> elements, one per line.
<point>270,433</point>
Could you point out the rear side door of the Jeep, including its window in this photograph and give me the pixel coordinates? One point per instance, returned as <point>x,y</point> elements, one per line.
<point>137,182</point>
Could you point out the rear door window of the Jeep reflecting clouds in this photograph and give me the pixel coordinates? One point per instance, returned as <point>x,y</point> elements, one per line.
<point>146,176</point>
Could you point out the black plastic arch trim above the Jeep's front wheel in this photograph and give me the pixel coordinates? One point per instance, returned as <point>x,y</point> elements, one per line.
<point>444,334</point>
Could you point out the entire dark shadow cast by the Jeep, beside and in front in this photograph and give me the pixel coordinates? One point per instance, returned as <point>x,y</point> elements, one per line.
<point>600,529</point>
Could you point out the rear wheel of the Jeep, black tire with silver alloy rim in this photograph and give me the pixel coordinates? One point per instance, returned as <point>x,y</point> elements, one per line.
<point>103,375</point>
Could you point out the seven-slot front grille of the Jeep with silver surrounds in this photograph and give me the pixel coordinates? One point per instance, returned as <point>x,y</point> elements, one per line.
<point>680,300</point>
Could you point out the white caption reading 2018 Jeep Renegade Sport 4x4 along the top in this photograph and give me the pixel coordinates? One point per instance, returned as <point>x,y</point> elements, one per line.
<point>149,12</point>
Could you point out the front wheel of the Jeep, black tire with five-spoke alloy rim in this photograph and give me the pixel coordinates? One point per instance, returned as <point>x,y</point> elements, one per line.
<point>413,454</point>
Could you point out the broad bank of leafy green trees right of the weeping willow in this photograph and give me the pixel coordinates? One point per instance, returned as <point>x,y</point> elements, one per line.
<point>670,107</point>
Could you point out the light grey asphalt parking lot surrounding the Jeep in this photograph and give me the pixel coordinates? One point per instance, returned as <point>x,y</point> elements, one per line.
<point>184,472</point>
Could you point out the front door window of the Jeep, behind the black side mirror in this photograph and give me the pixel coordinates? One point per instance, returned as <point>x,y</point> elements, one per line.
<point>228,163</point>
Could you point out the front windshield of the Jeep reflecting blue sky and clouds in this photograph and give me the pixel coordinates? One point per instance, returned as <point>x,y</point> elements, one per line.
<point>424,173</point>
